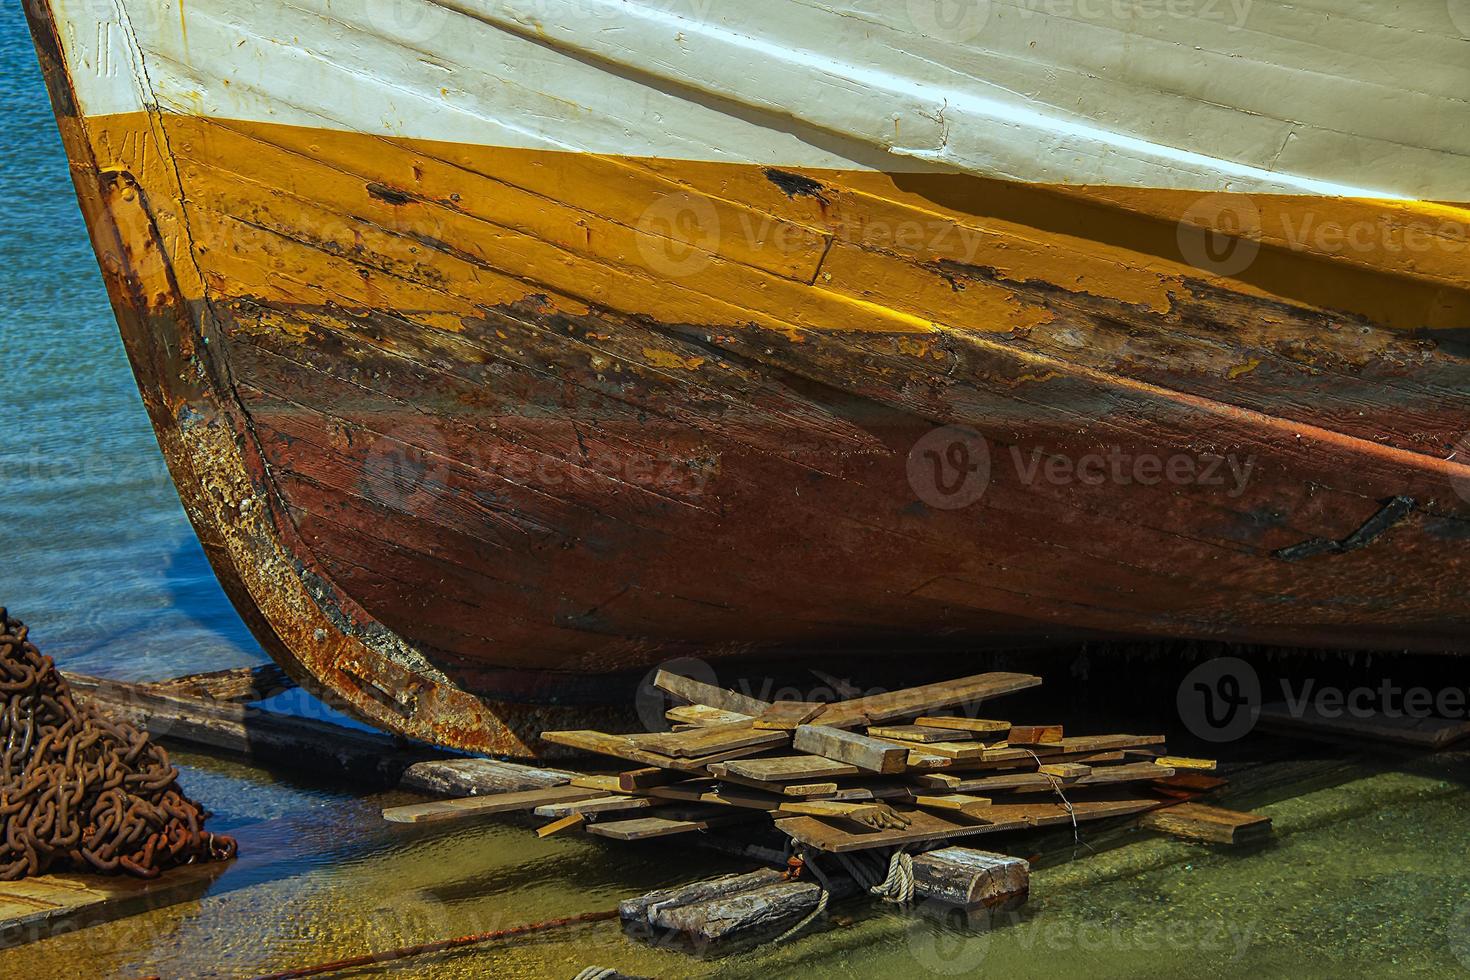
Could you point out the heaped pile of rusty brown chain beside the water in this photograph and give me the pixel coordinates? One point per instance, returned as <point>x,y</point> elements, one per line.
<point>79,791</point>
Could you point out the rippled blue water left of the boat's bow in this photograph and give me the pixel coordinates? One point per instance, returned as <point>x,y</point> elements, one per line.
<point>98,553</point>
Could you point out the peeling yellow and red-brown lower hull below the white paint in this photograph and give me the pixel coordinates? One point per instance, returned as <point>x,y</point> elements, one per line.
<point>456,464</point>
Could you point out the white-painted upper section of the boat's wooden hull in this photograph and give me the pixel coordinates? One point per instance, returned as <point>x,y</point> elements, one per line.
<point>1330,99</point>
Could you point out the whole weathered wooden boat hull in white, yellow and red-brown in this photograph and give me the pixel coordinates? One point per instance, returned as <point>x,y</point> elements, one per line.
<point>470,424</point>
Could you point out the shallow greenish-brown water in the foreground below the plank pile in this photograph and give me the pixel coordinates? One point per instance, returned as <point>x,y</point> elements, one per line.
<point>1365,878</point>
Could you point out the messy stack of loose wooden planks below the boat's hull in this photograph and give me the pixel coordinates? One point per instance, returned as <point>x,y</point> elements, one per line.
<point>909,768</point>
